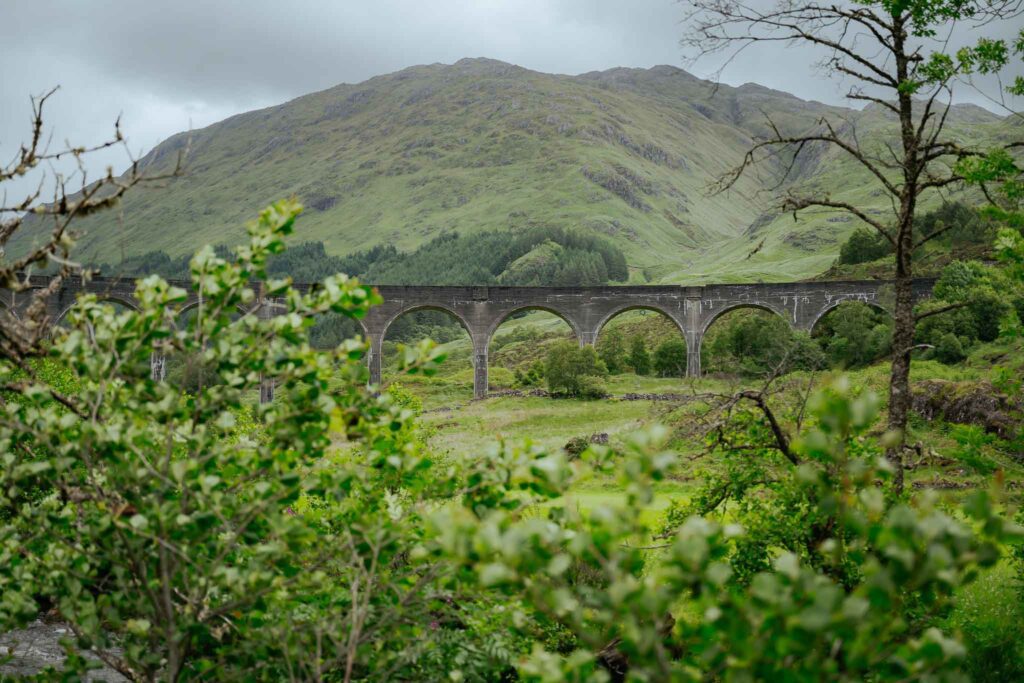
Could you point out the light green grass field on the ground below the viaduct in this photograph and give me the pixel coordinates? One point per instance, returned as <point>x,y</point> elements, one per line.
<point>461,425</point>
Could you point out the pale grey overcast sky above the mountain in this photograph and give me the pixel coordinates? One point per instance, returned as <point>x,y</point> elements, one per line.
<point>170,66</point>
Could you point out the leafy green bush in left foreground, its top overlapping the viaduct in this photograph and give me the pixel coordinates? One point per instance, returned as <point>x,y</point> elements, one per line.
<point>184,538</point>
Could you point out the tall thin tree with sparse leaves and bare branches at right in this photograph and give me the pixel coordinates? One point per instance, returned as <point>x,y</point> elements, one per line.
<point>894,57</point>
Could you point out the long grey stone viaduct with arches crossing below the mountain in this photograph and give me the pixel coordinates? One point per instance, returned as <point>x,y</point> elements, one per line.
<point>482,310</point>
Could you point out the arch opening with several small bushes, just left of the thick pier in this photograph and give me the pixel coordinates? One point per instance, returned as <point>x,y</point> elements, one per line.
<point>643,341</point>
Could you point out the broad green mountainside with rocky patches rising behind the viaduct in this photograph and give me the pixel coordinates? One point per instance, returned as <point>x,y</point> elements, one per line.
<point>483,146</point>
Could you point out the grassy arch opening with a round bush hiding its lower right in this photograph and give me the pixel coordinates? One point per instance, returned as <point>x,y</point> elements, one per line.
<point>519,346</point>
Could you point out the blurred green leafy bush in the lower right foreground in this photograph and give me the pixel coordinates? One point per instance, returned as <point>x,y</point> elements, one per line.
<point>849,604</point>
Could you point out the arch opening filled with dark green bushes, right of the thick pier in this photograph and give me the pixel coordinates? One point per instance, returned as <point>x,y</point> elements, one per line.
<point>751,340</point>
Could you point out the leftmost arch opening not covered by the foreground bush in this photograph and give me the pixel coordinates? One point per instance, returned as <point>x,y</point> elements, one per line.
<point>455,378</point>
